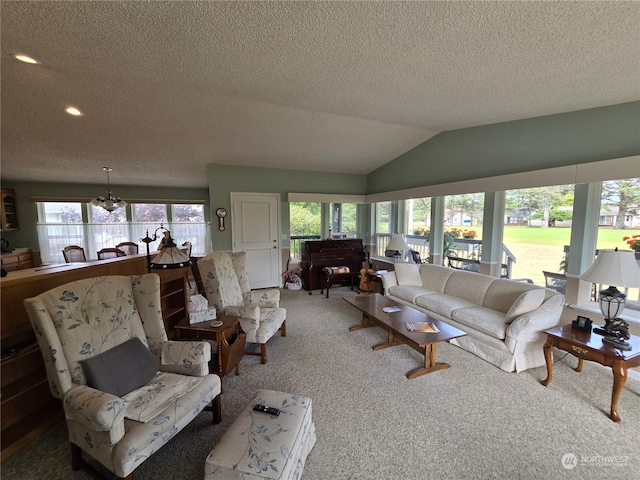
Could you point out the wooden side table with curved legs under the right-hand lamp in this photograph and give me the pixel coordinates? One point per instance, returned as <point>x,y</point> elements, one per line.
<point>589,346</point>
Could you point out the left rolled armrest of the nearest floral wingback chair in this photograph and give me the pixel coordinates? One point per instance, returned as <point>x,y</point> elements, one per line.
<point>94,409</point>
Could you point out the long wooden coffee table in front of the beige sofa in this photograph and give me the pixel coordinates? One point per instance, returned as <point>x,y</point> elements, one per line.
<point>425,343</point>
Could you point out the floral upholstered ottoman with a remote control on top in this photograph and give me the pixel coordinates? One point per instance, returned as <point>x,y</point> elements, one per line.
<point>259,445</point>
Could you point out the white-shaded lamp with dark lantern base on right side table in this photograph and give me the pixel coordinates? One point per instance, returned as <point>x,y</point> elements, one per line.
<point>617,268</point>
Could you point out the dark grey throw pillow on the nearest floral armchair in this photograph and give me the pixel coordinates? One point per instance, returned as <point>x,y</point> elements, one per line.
<point>121,369</point>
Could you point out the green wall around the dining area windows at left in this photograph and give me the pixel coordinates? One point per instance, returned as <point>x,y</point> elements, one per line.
<point>27,236</point>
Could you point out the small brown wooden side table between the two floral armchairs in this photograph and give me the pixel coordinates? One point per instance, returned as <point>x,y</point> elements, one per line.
<point>229,337</point>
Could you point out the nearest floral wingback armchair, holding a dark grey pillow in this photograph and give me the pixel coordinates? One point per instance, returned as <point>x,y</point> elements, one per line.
<point>126,390</point>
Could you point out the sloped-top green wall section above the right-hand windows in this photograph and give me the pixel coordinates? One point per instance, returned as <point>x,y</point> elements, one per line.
<point>520,146</point>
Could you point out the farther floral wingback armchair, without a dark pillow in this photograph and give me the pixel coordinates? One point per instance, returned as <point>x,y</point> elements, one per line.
<point>226,286</point>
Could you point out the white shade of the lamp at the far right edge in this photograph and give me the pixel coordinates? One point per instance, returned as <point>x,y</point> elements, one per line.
<point>614,267</point>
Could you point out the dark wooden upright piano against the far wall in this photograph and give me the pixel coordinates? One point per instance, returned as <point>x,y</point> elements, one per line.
<point>317,254</point>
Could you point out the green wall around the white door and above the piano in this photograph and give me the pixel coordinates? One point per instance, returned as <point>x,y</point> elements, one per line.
<point>224,179</point>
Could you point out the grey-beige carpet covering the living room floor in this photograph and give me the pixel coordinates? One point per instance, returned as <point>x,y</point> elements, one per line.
<point>471,421</point>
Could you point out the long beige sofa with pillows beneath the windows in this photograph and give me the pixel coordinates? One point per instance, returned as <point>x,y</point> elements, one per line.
<point>504,319</point>
